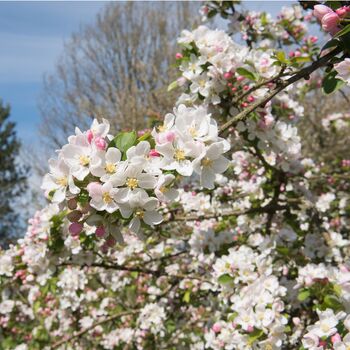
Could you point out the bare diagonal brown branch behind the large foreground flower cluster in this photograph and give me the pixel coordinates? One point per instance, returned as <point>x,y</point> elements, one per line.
<point>303,73</point>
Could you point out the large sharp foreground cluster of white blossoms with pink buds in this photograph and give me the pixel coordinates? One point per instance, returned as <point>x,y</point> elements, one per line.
<point>134,178</point>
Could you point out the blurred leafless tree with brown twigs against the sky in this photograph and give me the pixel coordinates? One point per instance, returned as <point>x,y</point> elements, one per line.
<point>118,68</point>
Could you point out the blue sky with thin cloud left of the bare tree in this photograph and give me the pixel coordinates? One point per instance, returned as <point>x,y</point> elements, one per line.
<point>31,39</point>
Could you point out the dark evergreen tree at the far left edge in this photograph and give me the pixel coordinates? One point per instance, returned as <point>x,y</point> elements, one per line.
<point>13,177</point>
